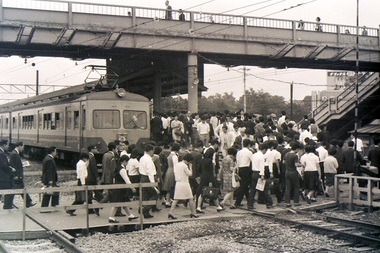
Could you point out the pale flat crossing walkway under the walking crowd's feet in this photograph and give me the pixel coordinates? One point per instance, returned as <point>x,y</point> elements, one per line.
<point>11,221</point>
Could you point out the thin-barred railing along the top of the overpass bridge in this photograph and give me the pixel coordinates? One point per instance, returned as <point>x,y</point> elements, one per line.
<point>156,13</point>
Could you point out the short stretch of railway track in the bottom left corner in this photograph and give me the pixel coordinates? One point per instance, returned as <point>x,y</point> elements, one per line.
<point>57,242</point>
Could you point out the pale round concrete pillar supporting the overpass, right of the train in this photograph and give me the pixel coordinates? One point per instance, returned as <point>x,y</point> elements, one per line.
<point>192,82</point>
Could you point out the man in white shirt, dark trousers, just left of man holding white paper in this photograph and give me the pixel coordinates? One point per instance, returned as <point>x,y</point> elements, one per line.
<point>243,162</point>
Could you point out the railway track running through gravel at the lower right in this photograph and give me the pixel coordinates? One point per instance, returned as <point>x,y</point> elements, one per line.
<point>360,236</point>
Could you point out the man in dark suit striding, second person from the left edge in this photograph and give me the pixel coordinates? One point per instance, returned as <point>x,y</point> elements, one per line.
<point>15,162</point>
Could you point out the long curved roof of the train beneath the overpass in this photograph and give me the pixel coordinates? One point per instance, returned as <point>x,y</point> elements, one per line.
<point>82,91</point>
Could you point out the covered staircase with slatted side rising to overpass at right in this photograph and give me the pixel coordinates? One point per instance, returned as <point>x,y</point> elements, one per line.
<point>338,113</point>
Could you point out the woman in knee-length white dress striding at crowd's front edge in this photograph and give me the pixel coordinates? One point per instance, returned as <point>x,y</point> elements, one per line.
<point>182,171</point>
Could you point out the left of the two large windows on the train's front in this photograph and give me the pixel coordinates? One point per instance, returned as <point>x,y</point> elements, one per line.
<point>106,119</point>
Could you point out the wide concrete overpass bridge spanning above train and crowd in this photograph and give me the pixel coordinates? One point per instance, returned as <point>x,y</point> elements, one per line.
<point>159,57</point>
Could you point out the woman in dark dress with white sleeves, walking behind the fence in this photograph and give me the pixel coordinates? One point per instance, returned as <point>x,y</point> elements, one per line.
<point>121,195</point>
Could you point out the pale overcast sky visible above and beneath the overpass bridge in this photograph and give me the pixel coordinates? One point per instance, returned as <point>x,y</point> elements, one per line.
<point>55,73</point>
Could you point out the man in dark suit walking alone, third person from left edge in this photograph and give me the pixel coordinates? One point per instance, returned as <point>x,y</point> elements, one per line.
<point>50,177</point>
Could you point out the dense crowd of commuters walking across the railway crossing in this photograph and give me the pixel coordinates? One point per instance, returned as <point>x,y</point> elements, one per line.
<point>241,155</point>
